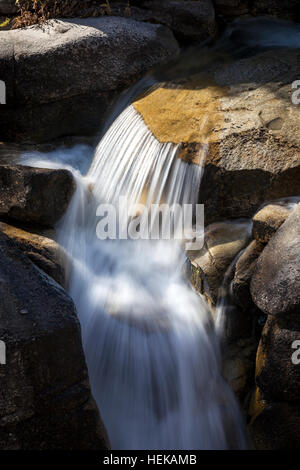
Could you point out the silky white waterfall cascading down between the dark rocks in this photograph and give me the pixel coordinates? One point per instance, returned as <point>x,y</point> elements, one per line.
<point>151,350</point>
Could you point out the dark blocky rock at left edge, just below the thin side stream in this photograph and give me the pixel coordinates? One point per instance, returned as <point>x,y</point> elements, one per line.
<point>34,195</point>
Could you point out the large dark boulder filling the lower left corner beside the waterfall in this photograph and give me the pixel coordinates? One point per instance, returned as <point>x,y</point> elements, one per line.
<point>45,400</point>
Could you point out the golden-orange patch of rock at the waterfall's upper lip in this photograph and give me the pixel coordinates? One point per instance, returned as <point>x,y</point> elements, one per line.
<point>188,112</point>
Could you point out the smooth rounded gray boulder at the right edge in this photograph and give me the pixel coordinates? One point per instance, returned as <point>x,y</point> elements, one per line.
<point>275,284</point>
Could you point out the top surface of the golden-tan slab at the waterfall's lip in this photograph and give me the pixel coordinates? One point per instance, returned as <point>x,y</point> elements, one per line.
<point>216,105</point>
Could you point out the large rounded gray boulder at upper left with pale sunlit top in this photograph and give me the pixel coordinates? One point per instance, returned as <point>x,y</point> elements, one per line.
<point>68,58</point>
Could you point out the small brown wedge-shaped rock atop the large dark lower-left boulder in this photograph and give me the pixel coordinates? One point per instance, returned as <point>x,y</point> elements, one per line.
<point>42,251</point>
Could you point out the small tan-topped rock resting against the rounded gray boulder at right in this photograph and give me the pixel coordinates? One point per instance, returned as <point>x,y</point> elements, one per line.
<point>268,220</point>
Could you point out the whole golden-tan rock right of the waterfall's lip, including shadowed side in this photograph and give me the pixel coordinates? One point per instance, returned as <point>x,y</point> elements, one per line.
<point>241,113</point>
